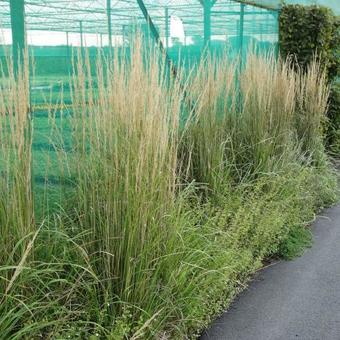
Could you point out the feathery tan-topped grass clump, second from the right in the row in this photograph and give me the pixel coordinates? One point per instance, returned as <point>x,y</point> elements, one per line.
<point>265,125</point>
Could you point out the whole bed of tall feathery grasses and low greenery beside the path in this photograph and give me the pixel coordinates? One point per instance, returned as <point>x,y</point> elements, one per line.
<point>180,188</point>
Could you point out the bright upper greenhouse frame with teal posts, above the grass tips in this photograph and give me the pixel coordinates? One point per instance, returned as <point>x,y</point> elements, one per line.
<point>110,21</point>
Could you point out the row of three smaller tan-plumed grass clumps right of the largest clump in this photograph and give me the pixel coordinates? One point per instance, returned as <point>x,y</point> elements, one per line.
<point>252,122</point>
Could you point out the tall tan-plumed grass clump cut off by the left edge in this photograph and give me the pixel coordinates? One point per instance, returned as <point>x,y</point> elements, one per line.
<point>16,202</point>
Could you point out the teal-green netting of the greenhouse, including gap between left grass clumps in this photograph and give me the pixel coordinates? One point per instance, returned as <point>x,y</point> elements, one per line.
<point>55,30</point>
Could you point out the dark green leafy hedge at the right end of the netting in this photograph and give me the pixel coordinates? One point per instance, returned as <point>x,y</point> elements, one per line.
<point>308,32</point>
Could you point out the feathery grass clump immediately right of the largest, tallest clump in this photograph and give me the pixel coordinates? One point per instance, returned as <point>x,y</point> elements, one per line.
<point>212,88</point>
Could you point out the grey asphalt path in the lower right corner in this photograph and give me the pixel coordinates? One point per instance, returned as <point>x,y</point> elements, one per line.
<point>297,299</point>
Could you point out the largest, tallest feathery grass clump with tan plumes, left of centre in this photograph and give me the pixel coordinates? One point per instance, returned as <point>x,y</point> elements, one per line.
<point>126,135</point>
